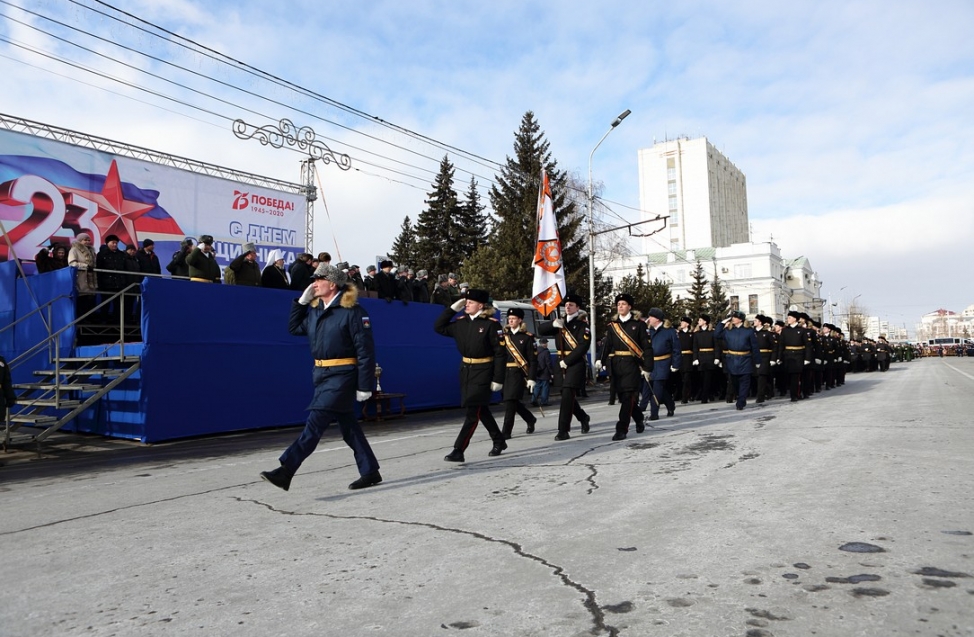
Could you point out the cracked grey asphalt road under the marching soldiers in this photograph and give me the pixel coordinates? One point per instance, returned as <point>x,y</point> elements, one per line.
<point>850,513</point>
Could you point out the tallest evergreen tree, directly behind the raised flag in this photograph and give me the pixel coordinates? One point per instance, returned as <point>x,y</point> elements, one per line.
<point>503,266</point>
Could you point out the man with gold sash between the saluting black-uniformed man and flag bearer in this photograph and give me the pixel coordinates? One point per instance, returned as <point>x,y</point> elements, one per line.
<point>521,369</point>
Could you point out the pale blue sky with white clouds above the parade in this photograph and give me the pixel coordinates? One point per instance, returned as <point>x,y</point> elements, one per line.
<point>850,120</point>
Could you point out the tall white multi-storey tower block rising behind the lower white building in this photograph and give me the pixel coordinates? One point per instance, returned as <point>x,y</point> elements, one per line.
<point>703,194</point>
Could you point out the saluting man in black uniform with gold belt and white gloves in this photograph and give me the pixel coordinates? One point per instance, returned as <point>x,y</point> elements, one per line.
<point>479,339</point>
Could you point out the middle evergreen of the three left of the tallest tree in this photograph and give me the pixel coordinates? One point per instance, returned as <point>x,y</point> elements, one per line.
<point>437,228</point>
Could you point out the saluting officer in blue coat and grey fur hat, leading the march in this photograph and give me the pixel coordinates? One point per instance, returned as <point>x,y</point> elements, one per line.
<point>341,339</point>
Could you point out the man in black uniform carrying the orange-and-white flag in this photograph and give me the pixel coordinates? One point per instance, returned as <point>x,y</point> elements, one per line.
<point>572,341</point>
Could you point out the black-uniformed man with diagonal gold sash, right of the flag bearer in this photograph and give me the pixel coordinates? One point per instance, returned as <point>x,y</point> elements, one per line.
<point>628,356</point>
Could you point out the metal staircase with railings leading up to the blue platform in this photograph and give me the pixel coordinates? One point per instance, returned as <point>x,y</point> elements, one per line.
<point>67,386</point>
